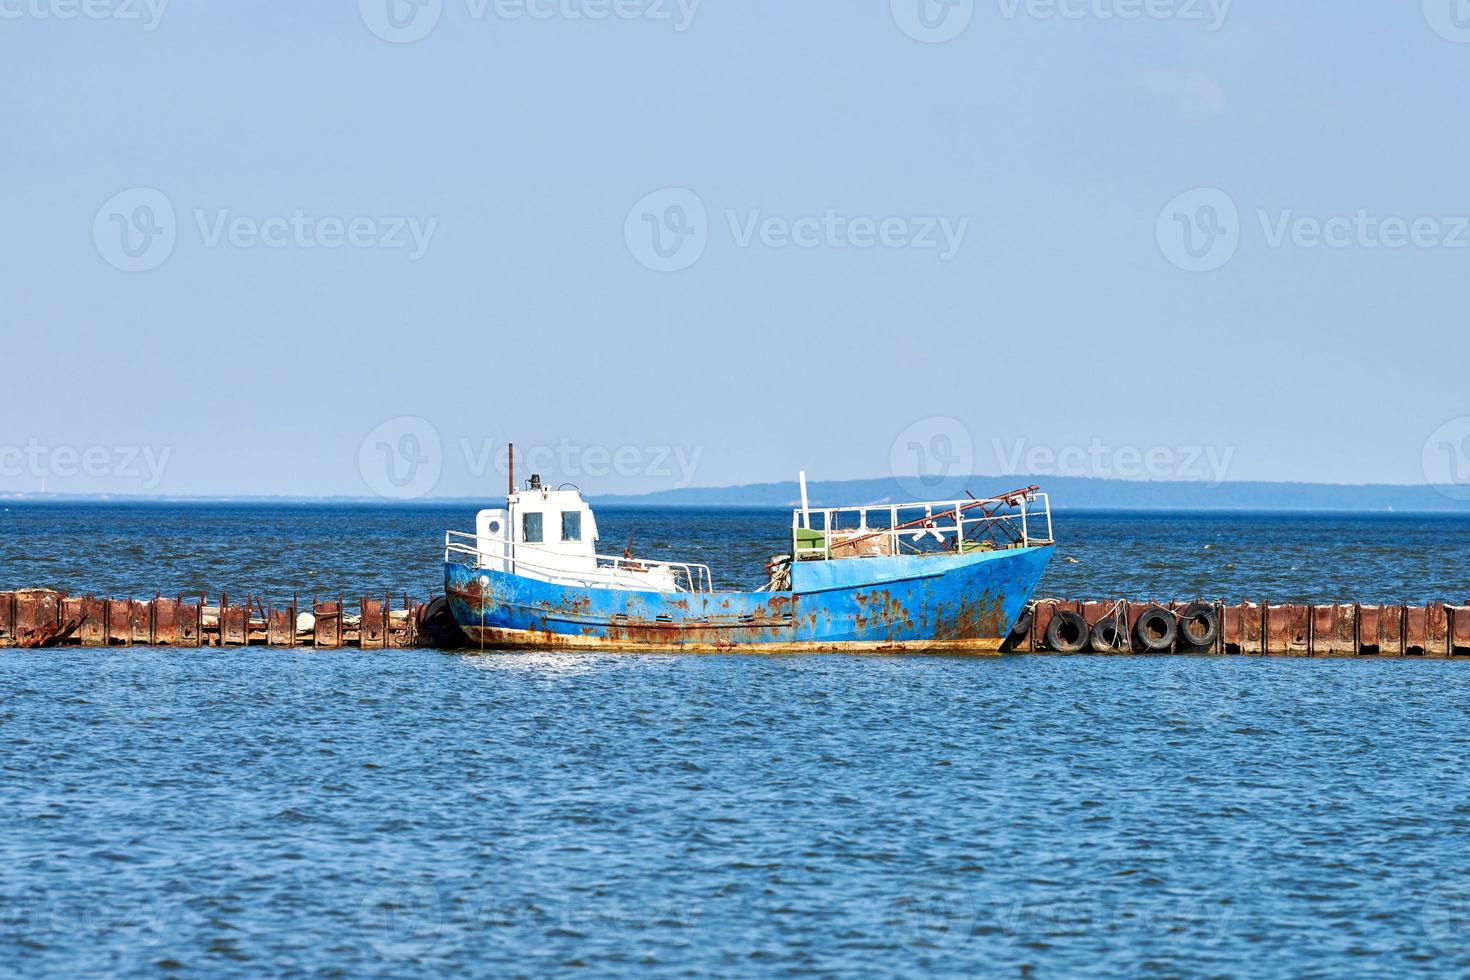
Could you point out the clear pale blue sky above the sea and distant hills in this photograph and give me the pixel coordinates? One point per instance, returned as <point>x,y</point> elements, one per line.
<point>365,242</point>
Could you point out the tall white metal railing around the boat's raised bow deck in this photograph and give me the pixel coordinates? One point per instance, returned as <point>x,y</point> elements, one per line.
<point>1014,521</point>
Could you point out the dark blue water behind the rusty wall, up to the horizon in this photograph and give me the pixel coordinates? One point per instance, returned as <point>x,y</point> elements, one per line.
<point>276,550</point>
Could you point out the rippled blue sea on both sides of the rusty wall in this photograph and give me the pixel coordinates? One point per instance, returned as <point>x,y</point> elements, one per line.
<point>245,813</point>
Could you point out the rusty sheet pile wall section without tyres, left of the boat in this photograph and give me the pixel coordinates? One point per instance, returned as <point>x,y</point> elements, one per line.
<point>35,619</point>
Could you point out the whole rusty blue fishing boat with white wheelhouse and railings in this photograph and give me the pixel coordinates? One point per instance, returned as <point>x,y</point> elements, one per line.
<point>937,577</point>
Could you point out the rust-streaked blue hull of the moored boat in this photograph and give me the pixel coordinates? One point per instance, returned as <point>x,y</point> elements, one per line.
<point>881,605</point>
